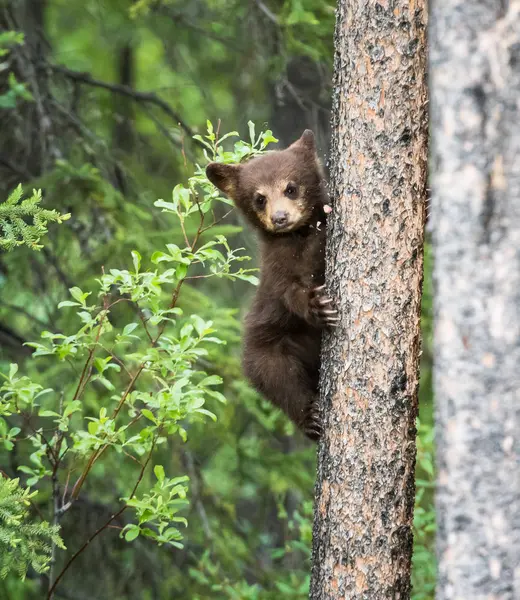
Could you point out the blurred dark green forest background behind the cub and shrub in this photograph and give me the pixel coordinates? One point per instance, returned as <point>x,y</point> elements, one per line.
<point>99,102</point>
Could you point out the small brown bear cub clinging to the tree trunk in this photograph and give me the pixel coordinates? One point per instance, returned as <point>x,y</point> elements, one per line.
<point>282,194</point>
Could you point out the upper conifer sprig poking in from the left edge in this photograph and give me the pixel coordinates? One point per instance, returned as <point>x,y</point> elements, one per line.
<point>25,221</point>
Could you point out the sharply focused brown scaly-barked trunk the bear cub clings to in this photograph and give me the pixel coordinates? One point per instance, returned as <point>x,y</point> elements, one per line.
<point>365,487</point>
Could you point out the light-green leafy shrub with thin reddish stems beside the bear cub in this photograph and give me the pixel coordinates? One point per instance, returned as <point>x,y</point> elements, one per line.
<point>148,372</point>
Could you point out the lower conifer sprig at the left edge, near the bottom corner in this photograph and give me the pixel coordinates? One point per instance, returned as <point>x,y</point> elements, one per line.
<point>24,542</point>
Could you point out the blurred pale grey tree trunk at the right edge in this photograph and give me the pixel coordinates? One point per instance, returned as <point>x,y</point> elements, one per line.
<point>475,82</point>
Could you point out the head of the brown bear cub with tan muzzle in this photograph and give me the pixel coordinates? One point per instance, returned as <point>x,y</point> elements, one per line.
<point>280,191</point>
